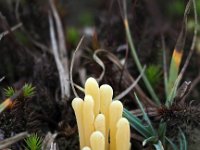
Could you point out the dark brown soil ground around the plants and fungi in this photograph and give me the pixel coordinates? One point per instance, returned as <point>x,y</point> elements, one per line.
<point>26,57</point>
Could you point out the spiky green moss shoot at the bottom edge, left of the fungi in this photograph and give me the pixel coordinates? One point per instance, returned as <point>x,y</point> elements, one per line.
<point>33,142</point>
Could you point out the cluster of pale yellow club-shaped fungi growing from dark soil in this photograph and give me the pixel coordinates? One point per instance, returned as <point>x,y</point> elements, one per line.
<point>99,118</point>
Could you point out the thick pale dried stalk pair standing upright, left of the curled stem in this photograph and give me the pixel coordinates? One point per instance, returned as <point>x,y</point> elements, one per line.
<point>59,51</point>
